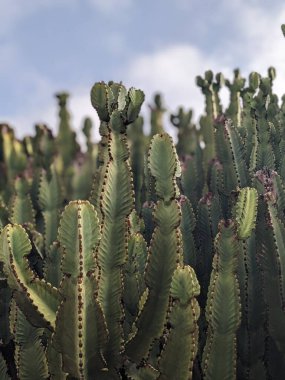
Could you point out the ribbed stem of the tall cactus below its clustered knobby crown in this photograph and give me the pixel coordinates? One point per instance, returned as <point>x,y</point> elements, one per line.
<point>116,205</point>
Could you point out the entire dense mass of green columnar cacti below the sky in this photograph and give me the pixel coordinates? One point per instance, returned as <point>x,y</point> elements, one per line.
<point>143,259</point>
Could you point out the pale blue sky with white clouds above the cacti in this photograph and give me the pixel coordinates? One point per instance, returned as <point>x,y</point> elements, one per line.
<point>157,45</point>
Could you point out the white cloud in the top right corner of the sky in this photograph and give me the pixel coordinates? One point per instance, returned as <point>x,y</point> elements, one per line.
<point>261,42</point>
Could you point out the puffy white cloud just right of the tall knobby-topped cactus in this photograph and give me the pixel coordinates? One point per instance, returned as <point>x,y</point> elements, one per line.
<point>172,72</point>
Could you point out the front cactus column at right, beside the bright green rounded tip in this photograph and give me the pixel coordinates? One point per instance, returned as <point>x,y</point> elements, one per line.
<point>223,308</point>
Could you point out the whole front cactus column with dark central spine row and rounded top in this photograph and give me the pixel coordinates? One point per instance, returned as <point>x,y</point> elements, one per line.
<point>80,346</point>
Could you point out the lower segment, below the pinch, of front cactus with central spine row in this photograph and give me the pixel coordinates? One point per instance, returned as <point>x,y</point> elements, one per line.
<point>81,346</point>
